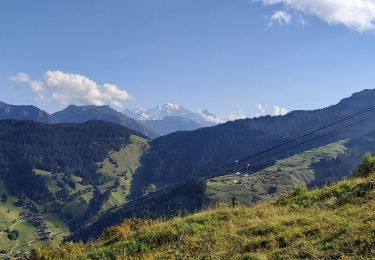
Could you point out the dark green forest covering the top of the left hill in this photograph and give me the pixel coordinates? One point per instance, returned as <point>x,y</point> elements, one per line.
<point>72,149</point>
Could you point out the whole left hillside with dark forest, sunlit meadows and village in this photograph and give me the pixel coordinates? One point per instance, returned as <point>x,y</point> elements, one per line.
<point>69,175</point>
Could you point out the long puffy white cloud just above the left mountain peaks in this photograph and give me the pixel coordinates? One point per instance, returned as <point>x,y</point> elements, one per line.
<point>69,88</point>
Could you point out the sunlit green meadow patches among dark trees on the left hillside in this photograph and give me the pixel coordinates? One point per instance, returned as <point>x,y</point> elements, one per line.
<point>128,160</point>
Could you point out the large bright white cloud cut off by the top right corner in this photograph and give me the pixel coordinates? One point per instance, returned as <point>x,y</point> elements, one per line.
<point>355,14</point>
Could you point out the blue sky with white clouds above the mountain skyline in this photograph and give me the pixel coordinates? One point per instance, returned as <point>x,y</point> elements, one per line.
<point>223,55</point>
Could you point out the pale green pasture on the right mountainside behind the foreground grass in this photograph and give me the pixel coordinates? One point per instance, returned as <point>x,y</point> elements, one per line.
<point>285,175</point>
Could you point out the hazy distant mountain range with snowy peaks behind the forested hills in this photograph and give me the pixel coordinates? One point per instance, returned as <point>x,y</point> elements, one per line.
<point>158,121</point>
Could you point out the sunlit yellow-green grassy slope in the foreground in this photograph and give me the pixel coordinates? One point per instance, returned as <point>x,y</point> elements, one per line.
<point>336,221</point>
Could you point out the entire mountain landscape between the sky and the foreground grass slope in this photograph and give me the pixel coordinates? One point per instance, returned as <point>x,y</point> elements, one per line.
<point>79,178</point>
